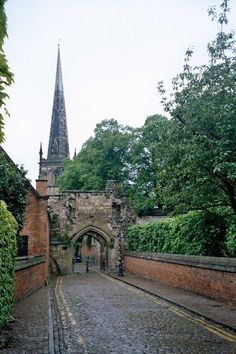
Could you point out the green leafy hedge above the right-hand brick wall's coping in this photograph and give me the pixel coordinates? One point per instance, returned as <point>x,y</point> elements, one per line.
<point>195,233</point>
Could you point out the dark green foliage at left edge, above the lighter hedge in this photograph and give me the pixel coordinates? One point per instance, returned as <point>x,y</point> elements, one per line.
<point>13,187</point>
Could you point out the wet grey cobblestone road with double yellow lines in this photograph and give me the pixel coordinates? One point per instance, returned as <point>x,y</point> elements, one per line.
<point>95,314</point>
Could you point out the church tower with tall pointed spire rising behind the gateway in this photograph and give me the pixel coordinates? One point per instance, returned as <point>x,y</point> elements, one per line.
<point>58,146</point>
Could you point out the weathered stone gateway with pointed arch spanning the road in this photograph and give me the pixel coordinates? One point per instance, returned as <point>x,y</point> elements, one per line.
<point>102,215</point>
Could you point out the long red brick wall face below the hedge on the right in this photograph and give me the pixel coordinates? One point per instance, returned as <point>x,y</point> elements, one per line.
<point>215,284</point>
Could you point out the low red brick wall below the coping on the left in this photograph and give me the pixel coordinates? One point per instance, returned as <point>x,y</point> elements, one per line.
<point>28,280</point>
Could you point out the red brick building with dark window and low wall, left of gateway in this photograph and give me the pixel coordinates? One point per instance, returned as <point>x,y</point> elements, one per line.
<point>32,258</point>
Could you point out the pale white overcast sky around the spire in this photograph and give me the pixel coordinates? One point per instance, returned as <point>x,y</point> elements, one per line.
<point>113,54</point>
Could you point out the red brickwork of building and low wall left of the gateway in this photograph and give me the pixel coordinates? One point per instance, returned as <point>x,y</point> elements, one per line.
<point>30,278</point>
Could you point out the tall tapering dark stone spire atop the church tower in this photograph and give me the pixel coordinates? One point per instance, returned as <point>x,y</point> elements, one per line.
<point>58,147</point>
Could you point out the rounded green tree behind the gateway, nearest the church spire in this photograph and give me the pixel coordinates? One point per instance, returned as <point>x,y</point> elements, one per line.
<point>101,158</point>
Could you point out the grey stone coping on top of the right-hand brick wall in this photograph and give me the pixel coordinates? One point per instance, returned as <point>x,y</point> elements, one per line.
<point>223,264</point>
